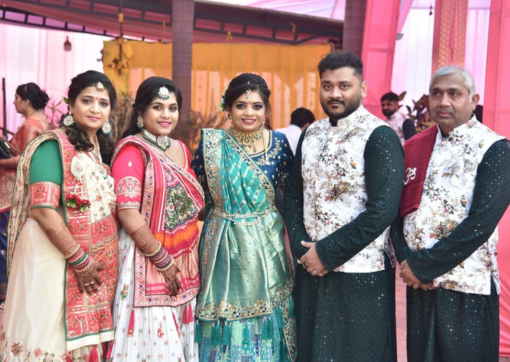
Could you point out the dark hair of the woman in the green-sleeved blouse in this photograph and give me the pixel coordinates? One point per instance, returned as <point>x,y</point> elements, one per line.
<point>77,136</point>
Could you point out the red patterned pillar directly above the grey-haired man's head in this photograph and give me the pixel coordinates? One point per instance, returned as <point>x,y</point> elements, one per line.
<point>449,33</point>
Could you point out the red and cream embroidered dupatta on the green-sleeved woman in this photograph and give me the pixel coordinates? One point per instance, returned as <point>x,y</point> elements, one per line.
<point>88,317</point>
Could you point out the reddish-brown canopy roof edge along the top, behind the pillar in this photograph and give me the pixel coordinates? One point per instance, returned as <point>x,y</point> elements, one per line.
<point>214,22</point>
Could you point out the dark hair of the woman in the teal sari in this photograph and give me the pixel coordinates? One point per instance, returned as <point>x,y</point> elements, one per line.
<point>240,84</point>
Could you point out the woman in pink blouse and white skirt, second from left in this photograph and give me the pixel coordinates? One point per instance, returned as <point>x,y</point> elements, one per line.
<point>158,201</point>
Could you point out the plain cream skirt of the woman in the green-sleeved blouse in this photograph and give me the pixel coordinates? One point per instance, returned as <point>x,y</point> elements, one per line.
<point>33,322</point>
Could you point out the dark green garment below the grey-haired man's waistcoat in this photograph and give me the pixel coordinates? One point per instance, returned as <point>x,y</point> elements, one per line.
<point>448,326</point>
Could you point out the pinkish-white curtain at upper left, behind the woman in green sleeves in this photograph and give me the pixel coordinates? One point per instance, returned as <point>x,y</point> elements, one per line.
<point>37,55</point>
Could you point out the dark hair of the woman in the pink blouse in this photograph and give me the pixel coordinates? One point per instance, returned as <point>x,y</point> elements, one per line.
<point>145,94</point>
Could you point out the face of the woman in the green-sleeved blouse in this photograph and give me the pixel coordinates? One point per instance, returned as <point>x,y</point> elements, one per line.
<point>91,109</point>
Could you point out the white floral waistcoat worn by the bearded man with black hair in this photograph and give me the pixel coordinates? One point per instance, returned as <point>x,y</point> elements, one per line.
<point>334,191</point>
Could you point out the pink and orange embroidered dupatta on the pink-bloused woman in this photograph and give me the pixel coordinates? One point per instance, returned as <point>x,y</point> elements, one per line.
<point>166,184</point>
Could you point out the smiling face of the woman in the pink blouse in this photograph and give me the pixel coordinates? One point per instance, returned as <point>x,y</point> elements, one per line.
<point>161,116</point>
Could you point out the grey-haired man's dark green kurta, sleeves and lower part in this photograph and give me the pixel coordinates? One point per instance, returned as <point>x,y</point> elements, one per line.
<point>446,325</point>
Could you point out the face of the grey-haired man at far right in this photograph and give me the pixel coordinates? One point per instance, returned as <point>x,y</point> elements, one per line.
<point>450,103</point>
